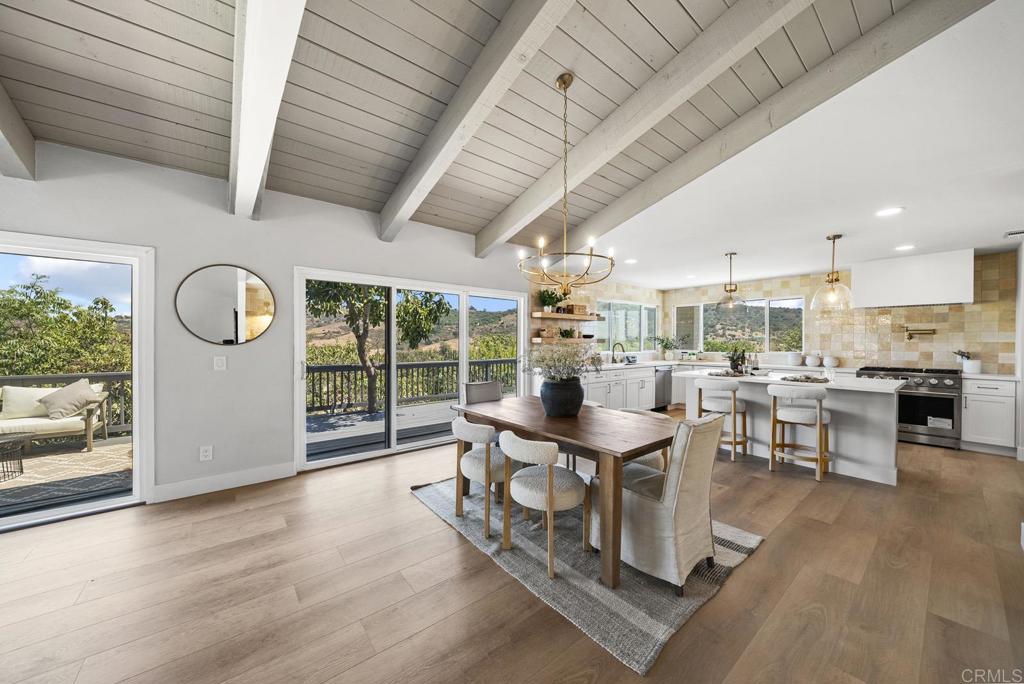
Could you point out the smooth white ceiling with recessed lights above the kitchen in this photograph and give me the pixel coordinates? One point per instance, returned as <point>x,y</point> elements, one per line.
<point>940,132</point>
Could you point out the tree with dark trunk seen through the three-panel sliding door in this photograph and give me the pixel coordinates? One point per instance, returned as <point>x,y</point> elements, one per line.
<point>364,308</point>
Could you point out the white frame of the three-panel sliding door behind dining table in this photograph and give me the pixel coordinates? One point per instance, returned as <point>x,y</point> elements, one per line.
<point>303,274</point>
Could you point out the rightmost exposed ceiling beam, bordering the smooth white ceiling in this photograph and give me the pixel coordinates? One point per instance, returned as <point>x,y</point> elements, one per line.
<point>893,38</point>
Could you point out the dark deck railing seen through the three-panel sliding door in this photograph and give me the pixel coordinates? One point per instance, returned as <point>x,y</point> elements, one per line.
<point>344,389</point>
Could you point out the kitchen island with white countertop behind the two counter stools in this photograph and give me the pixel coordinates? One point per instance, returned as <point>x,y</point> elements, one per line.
<point>864,421</point>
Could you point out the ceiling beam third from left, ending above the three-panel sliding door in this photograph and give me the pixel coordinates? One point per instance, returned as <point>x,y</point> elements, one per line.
<point>521,34</point>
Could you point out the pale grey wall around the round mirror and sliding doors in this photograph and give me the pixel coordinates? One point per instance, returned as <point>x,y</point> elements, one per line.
<point>245,413</point>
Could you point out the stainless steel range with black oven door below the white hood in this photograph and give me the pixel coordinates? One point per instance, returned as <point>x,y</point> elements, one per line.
<point>929,404</point>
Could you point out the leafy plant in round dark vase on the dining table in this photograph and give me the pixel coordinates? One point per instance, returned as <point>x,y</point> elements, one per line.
<point>562,365</point>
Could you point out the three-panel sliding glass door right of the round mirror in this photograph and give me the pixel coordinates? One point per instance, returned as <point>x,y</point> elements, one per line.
<point>381,362</point>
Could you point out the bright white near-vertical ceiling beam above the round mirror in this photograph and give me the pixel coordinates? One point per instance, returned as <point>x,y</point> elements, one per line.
<point>266,32</point>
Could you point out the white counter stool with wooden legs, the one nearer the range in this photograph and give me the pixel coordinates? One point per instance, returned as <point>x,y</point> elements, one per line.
<point>816,417</point>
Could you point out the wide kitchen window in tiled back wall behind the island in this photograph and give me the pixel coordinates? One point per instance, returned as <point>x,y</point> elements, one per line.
<point>748,326</point>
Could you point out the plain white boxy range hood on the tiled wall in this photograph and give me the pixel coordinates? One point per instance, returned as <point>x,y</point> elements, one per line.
<point>945,278</point>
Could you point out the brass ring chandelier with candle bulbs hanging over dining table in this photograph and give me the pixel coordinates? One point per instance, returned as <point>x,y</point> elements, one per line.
<point>565,271</point>
